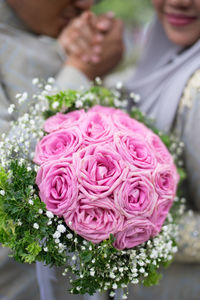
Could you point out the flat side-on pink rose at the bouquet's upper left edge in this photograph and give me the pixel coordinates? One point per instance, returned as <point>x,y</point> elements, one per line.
<point>60,121</point>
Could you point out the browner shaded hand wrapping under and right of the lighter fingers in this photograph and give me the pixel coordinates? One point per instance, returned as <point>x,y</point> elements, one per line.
<point>104,61</point>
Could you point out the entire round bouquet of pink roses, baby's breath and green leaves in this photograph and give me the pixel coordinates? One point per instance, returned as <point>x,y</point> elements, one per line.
<point>94,195</point>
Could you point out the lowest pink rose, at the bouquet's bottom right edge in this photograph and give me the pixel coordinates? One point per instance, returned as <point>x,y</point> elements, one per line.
<point>135,232</point>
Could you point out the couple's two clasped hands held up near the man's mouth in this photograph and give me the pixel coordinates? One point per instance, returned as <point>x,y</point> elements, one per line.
<point>94,44</point>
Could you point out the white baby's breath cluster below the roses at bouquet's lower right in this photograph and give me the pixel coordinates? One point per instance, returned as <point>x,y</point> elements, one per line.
<point>159,249</point>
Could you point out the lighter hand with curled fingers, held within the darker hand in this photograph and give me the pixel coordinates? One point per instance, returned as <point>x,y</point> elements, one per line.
<point>85,34</point>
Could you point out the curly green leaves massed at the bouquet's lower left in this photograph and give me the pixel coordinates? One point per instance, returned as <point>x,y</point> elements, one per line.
<point>17,217</point>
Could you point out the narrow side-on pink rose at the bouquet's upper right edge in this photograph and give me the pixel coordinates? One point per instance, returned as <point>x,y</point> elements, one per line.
<point>160,150</point>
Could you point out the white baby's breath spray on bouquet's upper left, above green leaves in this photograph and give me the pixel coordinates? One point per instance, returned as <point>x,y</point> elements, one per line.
<point>27,130</point>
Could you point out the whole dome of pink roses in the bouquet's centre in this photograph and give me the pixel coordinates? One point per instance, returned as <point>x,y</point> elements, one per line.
<point>106,173</point>
